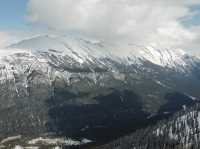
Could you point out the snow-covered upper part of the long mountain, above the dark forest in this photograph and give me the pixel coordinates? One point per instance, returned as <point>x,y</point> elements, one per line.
<point>54,55</point>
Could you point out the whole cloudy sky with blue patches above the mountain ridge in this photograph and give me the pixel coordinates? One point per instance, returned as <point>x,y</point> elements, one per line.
<point>159,23</point>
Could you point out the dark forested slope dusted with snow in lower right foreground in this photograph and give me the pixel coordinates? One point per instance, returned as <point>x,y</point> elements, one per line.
<point>180,131</point>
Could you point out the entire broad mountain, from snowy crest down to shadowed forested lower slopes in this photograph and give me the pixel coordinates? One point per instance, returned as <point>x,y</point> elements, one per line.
<point>74,86</point>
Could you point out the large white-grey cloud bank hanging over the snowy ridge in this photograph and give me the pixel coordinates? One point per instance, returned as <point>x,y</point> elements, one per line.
<point>156,22</point>
